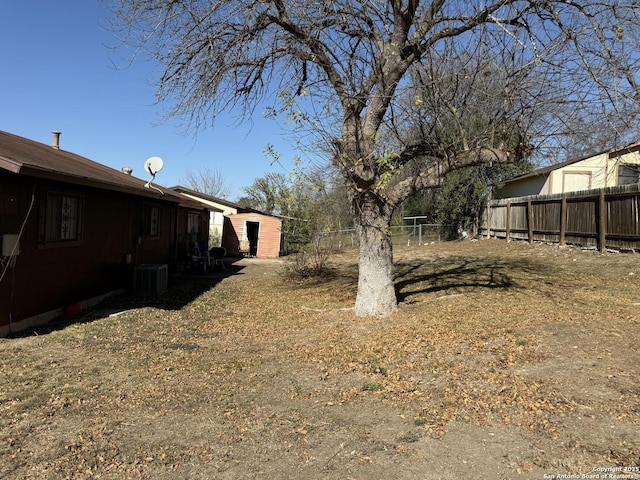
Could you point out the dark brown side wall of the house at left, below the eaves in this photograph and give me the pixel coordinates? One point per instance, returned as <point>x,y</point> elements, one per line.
<point>49,275</point>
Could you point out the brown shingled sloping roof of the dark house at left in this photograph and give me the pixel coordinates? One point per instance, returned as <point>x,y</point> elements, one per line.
<point>27,157</point>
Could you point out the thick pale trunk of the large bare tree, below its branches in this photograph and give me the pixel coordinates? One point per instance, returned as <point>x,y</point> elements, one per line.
<point>376,291</point>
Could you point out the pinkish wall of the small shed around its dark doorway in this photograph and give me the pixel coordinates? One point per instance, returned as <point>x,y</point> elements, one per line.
<point>237,233</point>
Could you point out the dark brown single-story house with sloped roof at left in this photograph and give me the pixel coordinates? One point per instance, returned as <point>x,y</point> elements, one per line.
<point>73,230</point>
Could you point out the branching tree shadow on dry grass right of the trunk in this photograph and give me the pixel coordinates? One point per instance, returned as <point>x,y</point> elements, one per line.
<point>460,274</point>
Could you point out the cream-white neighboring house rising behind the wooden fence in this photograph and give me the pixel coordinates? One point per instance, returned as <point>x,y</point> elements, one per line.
<point>620,166</point>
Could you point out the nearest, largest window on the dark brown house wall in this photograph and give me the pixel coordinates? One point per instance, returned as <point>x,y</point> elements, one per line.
<point>62,218</point>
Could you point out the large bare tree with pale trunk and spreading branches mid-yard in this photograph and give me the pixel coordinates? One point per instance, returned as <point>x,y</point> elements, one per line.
<point>341,66</point>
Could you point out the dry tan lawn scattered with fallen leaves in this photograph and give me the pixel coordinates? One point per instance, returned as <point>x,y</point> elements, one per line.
<point>504,361</point>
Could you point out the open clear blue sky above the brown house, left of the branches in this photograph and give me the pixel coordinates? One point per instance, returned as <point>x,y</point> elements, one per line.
<point>58,73</point>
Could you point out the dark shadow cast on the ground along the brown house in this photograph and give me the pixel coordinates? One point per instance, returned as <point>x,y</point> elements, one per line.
<point>182,289</point>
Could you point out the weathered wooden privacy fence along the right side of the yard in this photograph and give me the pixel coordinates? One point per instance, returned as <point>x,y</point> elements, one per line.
<point>603,218</point>
